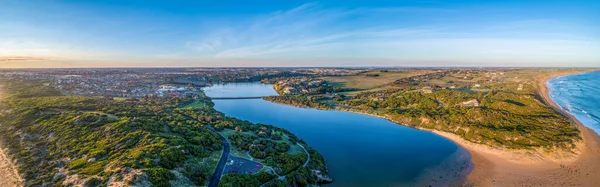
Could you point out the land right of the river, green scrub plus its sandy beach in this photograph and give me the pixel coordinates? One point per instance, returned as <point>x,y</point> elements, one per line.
<point>516,135</point>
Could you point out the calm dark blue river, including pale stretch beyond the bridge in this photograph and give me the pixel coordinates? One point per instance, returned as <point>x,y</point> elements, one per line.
<point>360,150</point>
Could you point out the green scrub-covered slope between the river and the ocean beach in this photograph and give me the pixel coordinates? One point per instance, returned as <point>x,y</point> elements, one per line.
<point>502,115</point>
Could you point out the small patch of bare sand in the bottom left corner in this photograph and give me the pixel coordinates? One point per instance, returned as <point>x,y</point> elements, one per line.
<point>9,175</point>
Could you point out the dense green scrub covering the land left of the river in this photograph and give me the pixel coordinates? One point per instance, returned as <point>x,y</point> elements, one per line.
<point>62,140</point>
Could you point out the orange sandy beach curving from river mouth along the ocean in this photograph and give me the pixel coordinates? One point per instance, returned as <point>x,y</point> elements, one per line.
<point>495,167</point>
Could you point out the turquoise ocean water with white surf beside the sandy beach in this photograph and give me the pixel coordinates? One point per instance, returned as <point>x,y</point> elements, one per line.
<point>579,94</point>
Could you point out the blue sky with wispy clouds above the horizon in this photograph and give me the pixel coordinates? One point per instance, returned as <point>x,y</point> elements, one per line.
<point>135,33</point>
